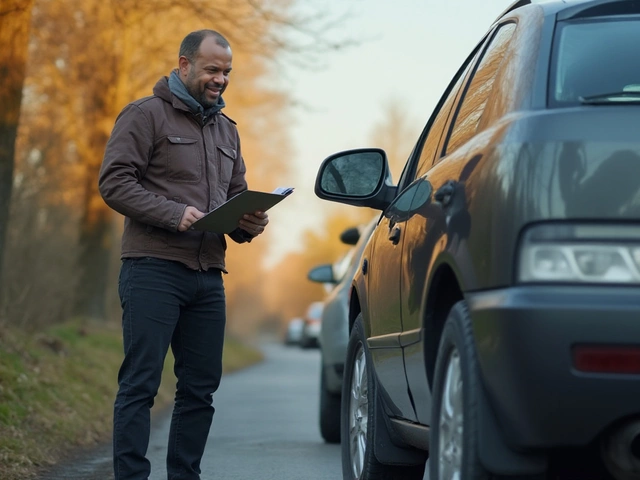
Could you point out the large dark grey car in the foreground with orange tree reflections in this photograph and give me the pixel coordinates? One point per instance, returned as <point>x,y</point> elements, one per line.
<point>495,317</point>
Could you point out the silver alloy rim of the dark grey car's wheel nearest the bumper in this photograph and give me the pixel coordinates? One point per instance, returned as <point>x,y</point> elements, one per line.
<point>451,422</point>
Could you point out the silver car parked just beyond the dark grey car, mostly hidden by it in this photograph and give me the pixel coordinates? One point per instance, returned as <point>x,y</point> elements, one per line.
<point>334,330</point>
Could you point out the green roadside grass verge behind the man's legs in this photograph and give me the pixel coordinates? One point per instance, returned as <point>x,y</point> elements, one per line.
<point>57,390</point>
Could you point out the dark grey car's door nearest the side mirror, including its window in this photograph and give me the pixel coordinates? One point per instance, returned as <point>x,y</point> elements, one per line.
<point>385,277</point>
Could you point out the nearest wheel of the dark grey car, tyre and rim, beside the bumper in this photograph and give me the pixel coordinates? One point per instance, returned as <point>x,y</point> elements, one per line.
<point>454,431</point>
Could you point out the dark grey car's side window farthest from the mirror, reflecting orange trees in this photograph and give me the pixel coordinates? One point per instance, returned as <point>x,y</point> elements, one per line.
<point>479,88</point>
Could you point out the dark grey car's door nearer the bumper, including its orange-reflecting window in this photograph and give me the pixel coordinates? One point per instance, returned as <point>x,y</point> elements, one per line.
<point>439,216</point>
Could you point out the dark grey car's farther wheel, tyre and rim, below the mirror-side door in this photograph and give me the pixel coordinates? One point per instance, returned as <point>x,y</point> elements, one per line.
<point>358,418</point>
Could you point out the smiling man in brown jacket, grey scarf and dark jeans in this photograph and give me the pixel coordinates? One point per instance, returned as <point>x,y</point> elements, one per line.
<point>171,157</point>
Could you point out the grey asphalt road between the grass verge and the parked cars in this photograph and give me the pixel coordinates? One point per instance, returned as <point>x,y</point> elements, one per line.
<point>265,427</point>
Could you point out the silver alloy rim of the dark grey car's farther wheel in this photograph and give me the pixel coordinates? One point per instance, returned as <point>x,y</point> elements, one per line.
<point>358,413</point>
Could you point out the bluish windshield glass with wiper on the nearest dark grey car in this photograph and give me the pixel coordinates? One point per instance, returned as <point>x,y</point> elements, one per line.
<point>596,61</point>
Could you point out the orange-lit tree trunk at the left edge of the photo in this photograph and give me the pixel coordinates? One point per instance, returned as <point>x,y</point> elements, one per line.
<point>15,17</point>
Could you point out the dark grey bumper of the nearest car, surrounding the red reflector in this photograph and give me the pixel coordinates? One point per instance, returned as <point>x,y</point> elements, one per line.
<point>524,337</point>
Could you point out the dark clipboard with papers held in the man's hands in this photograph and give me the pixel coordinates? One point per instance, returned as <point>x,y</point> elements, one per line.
<point>225,218</point>
